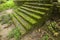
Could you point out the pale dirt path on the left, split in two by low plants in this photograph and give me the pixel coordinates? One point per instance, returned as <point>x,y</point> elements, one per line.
<point>4,31</point>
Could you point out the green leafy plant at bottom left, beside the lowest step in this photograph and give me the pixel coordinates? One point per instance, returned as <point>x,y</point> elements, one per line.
<point>15,33</point>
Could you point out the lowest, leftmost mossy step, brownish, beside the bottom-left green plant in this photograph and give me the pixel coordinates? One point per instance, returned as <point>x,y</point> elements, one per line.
<point>17,24</point>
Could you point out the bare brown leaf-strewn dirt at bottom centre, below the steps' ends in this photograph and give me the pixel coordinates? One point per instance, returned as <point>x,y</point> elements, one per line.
<point>35,35</point>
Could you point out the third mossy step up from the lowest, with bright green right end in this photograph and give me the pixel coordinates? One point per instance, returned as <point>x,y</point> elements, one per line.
<point>26,17</point>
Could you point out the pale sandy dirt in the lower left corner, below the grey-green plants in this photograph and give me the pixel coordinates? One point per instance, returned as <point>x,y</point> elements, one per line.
<point>4,32</point>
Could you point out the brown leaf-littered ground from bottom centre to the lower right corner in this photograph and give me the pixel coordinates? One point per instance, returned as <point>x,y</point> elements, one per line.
<point>42,34</point>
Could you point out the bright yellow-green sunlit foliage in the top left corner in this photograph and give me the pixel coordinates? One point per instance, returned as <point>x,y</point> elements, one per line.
<point>7,5</point>
